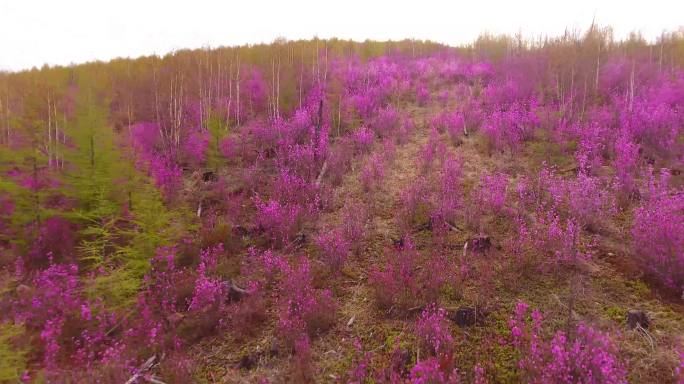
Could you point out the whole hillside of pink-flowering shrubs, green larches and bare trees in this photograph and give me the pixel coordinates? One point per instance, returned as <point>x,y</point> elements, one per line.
<point>333,211</point>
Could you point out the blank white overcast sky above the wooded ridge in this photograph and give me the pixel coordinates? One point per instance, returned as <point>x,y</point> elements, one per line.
<point>34,32</point>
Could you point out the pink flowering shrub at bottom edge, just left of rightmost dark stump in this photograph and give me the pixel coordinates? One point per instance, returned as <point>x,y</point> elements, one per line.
<point>587,357</point>
